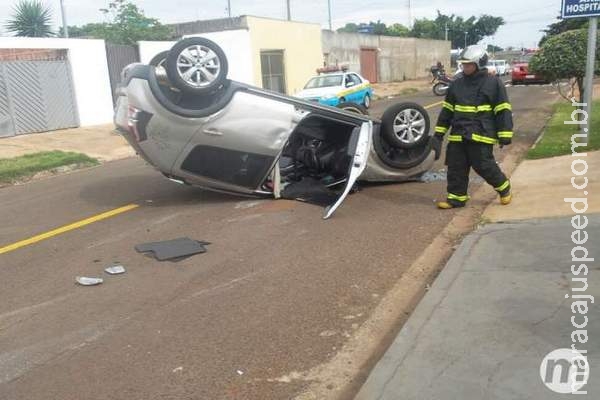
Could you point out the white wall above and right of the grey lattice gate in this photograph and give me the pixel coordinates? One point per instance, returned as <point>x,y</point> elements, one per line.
<point>89,69</point>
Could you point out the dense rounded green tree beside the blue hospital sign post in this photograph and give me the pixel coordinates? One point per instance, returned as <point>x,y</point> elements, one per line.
<point>563,57</point>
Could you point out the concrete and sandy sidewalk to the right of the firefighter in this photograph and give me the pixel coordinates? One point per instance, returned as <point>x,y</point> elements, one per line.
<point>498,307</point>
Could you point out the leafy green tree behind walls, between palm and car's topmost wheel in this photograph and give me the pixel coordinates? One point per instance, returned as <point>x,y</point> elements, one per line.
<point>127,25</point>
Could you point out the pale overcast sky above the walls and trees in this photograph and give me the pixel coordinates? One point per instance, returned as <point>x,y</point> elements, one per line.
<point>525,19</point>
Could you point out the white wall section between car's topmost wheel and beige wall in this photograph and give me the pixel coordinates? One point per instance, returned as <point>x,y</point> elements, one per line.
<point>238,49</point>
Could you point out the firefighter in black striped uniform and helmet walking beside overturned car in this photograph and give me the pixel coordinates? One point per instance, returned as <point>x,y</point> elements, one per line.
<point>476,114</point>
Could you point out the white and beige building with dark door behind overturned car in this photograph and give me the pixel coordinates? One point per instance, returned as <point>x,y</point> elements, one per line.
<point>273,54</point>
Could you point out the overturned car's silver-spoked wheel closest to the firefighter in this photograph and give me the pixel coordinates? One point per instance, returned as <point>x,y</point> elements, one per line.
<point>405,125</point>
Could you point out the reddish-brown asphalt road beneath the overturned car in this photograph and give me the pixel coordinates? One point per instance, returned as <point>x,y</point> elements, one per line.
<point>279,291</point>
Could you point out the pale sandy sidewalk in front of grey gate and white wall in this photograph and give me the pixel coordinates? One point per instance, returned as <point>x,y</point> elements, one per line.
<point>99,142</point>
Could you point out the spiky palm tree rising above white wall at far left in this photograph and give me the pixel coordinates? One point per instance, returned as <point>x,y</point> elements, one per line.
<point>31,18</point>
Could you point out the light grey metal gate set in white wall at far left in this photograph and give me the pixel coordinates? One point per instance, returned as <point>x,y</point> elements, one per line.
<point>36,96</point>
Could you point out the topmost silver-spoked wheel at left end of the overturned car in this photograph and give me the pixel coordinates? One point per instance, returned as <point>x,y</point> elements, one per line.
<point>197,66</point>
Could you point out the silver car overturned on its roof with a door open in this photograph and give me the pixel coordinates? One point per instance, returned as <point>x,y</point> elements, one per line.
<point>183,116</point>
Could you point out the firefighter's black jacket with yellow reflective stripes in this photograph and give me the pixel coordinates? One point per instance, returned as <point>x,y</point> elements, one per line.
<point>476,109</point>
